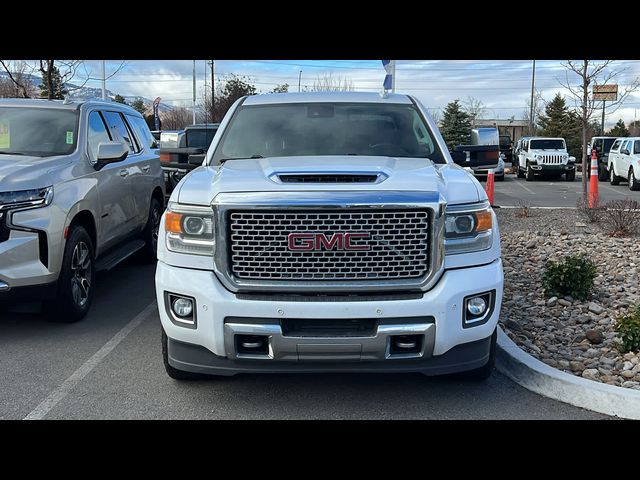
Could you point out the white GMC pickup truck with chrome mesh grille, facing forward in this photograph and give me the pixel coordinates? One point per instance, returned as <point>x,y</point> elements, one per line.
<point>328,232</point>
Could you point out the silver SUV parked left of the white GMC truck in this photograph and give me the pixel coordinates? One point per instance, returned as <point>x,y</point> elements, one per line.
<point>81,189</point>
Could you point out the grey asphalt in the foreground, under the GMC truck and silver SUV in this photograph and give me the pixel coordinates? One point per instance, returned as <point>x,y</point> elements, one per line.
<point>109,366</point>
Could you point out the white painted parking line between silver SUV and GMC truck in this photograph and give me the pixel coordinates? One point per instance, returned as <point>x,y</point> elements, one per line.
<point>70,383</point>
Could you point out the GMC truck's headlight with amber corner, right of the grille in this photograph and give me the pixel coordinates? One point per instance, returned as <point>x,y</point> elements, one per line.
<point>468,228</point>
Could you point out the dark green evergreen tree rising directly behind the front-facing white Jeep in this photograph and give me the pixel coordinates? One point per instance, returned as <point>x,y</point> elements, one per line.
<point>559,121</point>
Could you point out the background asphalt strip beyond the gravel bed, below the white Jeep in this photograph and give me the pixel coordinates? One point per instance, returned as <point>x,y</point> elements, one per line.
<point>541,192</point>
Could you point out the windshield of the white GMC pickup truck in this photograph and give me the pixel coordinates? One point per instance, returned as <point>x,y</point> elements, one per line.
<point>327,129</point>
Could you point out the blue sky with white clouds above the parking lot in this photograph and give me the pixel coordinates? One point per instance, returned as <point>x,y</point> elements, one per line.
<point>503,86</point>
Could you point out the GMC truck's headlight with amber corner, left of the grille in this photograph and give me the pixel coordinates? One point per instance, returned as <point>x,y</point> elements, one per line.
<point>189,229</point>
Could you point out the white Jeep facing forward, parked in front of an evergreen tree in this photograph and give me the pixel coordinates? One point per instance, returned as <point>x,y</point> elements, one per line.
<point>545,156</point>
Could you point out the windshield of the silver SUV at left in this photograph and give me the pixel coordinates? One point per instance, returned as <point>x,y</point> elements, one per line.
<point>40,132</point>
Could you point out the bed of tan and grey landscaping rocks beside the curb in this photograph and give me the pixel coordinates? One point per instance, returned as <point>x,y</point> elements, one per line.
<point>570,335</point>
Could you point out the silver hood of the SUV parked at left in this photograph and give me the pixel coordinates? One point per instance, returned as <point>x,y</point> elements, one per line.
<point>19,172</point>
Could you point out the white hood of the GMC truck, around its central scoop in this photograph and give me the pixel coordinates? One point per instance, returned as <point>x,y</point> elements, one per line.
<point>261,175</point>
